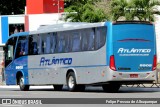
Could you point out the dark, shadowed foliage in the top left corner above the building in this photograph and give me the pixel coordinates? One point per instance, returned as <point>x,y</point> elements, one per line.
<point>12,7</point>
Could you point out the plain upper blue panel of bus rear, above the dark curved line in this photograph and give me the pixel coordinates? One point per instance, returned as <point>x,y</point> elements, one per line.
<point>129,32</point>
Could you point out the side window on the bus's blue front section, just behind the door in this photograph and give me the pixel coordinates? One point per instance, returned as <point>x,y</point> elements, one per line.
<point>22,46</point>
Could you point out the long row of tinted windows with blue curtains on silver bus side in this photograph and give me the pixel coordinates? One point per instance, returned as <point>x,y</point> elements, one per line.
<point>69,41</point>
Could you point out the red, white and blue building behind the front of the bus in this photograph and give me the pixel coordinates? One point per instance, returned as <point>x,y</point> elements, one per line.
<point>37,13</point>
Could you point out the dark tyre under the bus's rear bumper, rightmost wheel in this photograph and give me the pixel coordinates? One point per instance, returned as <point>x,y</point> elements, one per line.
<point>111,88</point>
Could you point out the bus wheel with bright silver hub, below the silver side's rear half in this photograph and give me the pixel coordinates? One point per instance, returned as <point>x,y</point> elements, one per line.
<point>71,82</point>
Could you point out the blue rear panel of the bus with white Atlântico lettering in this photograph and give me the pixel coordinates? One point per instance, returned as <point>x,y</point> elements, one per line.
<point>134,47</point>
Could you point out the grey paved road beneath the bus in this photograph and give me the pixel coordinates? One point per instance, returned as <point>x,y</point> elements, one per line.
<point>91,92</point>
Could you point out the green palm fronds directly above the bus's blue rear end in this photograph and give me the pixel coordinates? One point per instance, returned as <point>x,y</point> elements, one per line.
<point>143,10</point>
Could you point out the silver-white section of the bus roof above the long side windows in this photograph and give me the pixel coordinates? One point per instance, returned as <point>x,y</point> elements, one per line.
<point>65,27</point>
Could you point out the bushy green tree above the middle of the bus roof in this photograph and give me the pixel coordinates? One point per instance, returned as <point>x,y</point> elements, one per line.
<point>84,11</point>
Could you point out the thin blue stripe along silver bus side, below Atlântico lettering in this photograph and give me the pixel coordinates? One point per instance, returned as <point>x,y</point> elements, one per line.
<point>90,66</point>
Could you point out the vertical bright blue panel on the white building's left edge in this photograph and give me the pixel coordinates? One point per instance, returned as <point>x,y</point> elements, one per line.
<point>5,29</point>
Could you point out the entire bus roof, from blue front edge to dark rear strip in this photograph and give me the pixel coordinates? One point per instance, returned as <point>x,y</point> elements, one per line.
<point>71,26</point>
